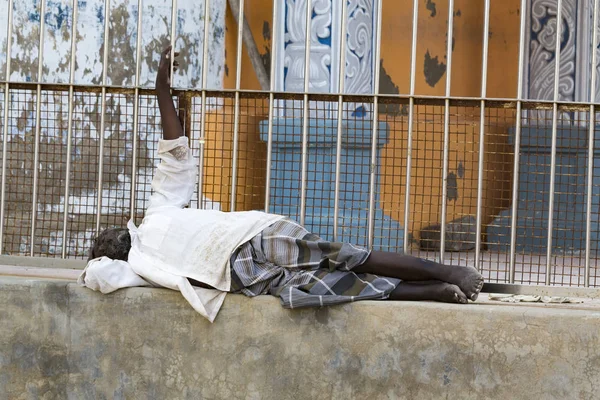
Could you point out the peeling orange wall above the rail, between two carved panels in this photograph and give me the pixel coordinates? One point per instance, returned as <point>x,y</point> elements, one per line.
<point>468,44</point>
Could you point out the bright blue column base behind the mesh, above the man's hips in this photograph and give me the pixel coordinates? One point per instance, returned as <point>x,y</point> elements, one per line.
<point>354,179</point>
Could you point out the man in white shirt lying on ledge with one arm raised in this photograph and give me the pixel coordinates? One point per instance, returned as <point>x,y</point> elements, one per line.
<point>206,254</point>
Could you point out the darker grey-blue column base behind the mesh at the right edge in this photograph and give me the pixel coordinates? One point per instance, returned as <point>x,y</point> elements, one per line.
<point>570,194</point>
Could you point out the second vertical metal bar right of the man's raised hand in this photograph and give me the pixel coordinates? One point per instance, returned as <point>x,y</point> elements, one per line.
<point>236,112</point>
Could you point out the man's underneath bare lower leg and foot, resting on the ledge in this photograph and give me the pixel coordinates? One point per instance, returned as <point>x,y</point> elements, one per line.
<point>429,290</point>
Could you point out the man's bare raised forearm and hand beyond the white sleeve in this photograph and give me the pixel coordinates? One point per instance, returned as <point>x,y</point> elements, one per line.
<point>170,121</point>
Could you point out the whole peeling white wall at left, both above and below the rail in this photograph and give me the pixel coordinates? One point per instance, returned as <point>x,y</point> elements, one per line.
<point>118,132</point>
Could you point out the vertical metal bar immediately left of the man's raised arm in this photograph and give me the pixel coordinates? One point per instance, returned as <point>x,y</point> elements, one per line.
<point>136,112</point>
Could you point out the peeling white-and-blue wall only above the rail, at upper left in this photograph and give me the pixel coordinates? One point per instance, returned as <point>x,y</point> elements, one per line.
<point>156,20</point>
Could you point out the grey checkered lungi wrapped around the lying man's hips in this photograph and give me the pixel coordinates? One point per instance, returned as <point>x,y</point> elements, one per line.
<point>304,270</point>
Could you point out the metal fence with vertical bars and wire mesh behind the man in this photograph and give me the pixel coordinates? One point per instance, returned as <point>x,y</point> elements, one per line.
<point>87,156</point>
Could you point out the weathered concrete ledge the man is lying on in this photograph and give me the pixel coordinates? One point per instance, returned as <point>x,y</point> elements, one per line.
<point>58,340</point>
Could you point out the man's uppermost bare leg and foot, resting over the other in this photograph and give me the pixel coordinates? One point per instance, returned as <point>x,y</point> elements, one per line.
<point>409,268</point>
